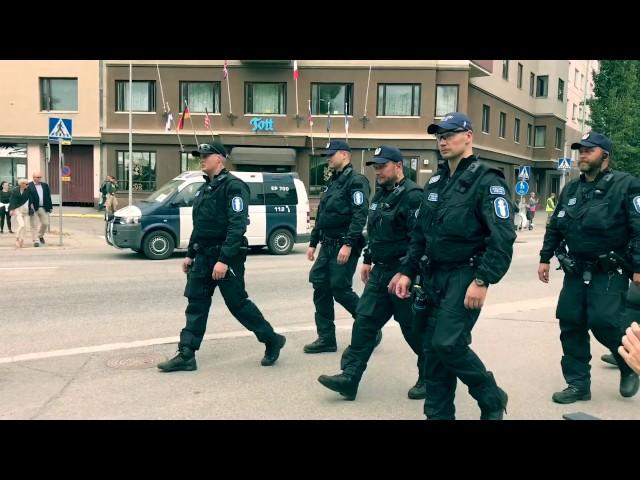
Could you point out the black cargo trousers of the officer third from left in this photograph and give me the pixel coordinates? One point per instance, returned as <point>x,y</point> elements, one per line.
<point>374,310</point>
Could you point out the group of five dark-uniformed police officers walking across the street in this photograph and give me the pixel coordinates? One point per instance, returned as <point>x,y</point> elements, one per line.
<point>429,258</point>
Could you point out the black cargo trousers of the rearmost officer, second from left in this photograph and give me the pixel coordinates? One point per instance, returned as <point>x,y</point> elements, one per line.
<point>332,281</point>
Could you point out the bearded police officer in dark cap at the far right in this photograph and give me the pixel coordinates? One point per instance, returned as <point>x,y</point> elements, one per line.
<point>597,213</point>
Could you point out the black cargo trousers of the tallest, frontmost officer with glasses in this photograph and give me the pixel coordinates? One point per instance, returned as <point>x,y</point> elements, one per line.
<point>446,347</point>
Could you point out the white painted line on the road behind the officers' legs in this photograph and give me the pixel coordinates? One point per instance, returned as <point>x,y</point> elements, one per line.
<point>488,311</point>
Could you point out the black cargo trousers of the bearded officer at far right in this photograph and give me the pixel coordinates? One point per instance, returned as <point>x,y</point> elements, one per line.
<point>600,307</point>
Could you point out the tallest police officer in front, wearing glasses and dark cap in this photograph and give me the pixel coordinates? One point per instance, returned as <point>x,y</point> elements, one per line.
<point>465,228</point>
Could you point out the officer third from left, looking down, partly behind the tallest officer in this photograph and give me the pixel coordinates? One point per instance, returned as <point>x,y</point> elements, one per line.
<point>391,218</point>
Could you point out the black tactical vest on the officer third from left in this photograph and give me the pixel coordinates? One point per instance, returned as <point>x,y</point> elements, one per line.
<point>388,231</point>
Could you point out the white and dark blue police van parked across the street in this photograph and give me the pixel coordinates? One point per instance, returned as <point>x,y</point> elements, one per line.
<point>278,215</point>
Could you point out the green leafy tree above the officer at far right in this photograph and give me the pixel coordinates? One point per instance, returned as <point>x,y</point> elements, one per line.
<point>615,111</point>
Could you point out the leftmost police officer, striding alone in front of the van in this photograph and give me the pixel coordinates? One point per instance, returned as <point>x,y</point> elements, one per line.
<point>216,255</point>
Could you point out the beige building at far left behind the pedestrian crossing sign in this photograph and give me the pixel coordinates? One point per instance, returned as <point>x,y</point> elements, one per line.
<point>30,93</point>
